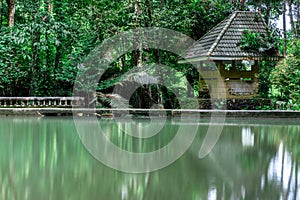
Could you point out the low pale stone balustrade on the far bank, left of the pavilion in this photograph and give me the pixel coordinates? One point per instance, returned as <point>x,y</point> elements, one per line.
<point>41,101</point>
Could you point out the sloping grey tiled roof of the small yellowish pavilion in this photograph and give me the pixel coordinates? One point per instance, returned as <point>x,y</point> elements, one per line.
<point>222,42</point>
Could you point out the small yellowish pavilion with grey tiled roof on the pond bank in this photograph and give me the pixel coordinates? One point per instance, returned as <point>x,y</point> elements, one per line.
<point>222,44</point>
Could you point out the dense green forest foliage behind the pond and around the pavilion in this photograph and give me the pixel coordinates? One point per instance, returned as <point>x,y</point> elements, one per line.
<point>42,43</point>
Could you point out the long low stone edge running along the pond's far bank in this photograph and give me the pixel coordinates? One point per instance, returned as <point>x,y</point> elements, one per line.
<point>125,112</point>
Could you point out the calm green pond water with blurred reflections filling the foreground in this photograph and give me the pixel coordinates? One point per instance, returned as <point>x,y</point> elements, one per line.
<point>44,158</point>
